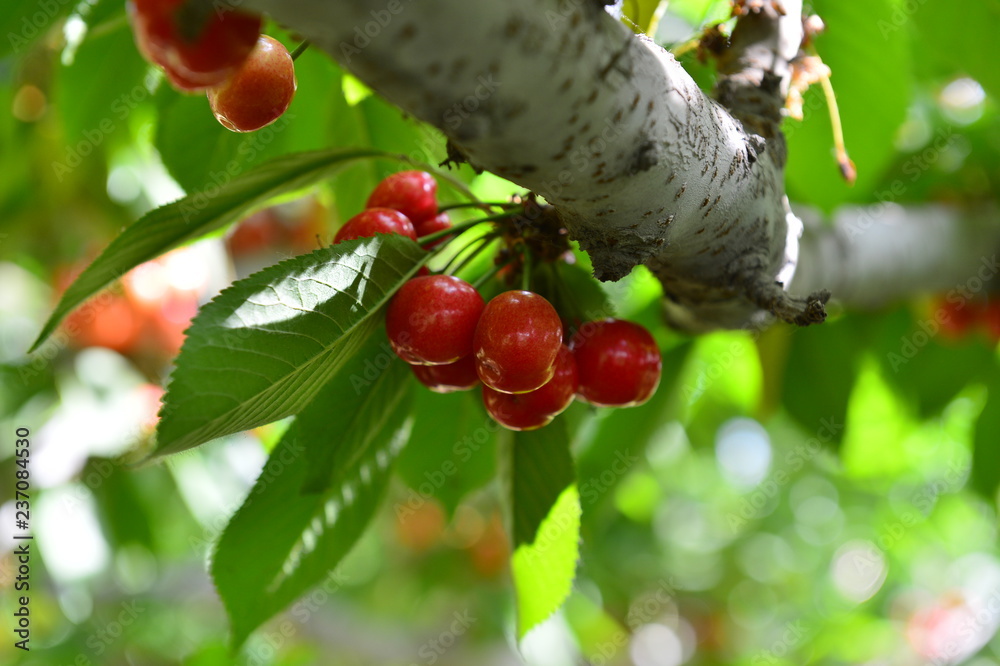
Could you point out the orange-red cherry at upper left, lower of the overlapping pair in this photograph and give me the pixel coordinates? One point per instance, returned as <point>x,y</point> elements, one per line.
<point>258,92</point>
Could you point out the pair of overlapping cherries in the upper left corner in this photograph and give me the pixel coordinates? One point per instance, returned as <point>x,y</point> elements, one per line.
<point>249,78</point>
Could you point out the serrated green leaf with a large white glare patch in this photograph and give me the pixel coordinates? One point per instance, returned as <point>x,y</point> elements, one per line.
<point>262,349</point>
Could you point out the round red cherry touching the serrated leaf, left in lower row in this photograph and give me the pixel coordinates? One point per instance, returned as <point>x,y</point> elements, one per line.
<point>431,319</point>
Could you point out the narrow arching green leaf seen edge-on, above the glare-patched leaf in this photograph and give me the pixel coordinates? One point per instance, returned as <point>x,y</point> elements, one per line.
<point>194,216</point>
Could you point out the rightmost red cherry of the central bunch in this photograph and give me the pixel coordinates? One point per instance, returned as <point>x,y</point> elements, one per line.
<point>618,363</point>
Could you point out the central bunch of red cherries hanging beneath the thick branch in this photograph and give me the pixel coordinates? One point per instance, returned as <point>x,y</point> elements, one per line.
<point>514,345</point>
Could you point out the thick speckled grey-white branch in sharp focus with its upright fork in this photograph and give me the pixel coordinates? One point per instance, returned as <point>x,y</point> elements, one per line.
<point>643,168</point>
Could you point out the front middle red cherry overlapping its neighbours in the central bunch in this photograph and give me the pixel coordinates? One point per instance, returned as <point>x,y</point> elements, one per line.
<point>516,342</point>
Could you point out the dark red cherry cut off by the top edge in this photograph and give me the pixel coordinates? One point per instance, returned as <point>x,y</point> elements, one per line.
<point>197,51</point>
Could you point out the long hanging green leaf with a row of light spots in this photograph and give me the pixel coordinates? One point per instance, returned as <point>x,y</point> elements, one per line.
<point>283,541</point>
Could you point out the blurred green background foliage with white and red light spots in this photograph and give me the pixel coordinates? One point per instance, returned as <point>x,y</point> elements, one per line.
<point>788,497</point>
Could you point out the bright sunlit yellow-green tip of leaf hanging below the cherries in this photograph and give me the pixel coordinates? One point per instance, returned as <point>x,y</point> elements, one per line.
<point>543,572</point>
